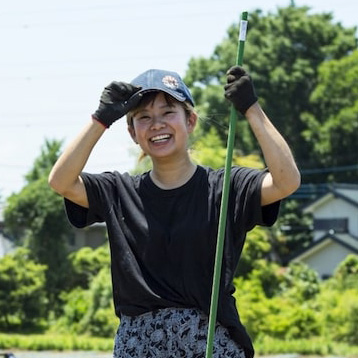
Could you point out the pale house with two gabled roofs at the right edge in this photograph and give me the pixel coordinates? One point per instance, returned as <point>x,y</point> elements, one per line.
<point>335,220</point>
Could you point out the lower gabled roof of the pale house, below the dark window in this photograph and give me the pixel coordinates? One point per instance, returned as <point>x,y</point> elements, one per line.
<point>348,241</point>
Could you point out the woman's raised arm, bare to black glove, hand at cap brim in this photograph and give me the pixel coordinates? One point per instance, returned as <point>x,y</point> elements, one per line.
<point>116,100</point>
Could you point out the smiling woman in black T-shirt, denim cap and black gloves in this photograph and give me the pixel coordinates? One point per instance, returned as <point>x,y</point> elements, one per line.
<point>162,224</point>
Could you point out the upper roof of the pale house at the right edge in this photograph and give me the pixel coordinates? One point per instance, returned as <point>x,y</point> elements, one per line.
<point>345,192</point>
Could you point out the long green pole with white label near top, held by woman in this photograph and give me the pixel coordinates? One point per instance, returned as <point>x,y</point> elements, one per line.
<point>224,202</point>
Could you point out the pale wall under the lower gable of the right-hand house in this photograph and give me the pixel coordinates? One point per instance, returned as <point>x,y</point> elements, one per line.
<point>326,261</point>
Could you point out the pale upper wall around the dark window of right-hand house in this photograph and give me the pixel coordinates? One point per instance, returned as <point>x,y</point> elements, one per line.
<point>338,208</point>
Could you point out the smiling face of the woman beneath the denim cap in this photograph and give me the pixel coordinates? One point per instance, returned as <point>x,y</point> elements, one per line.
<point>162,129</point>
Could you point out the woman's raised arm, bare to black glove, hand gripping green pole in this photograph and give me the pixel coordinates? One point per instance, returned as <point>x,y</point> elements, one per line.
<point>283,177</point>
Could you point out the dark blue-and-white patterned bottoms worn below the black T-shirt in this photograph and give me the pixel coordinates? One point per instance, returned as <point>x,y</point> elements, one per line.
<point>171,333</point>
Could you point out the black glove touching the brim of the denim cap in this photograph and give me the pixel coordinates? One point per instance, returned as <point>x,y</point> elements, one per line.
<point>115,102</point>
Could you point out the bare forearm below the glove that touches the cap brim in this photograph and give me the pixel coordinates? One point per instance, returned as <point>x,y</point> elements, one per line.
<point>64,175</point>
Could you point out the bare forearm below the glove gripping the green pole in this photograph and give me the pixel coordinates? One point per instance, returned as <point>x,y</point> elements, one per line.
<point>276,152</point>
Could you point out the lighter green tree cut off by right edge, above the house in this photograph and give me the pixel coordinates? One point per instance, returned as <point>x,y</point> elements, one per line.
<point>332,125</point>
